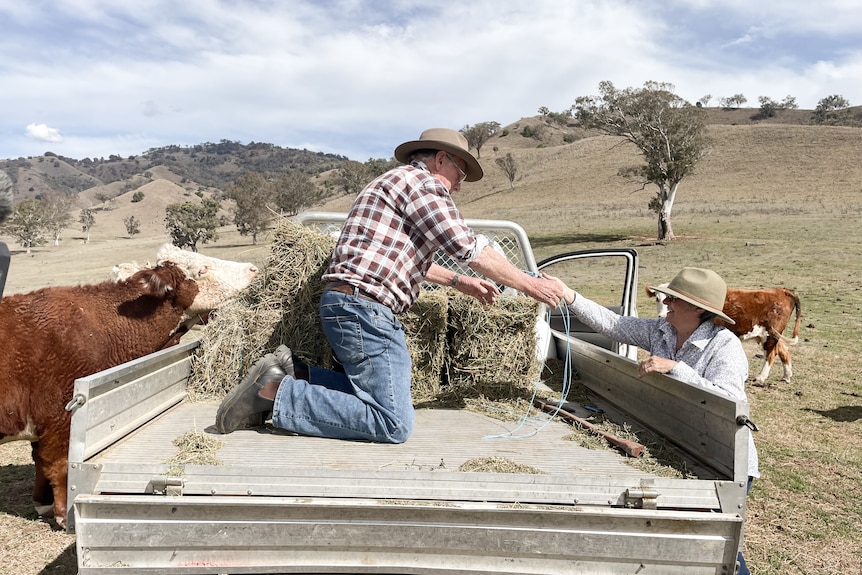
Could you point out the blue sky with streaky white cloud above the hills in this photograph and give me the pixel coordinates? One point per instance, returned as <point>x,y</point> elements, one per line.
<point>94,78</point>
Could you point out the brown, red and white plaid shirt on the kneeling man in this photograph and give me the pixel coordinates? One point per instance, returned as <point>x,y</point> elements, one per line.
<point>390,236</point>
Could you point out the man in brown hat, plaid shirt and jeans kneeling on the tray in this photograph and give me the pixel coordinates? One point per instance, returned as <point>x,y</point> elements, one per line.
<point>384,253</point>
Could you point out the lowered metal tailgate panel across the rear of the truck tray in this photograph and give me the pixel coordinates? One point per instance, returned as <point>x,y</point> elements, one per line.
<point>269,535</point>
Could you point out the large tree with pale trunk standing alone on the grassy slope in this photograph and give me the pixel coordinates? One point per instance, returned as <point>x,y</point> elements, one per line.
<point>669,132</point>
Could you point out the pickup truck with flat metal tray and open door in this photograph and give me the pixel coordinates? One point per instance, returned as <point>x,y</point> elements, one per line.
<point>279,503</point>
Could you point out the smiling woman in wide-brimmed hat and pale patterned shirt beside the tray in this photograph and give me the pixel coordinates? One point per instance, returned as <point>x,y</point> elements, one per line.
<point>685,343</point>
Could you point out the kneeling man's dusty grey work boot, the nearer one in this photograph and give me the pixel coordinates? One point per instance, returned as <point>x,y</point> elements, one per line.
<point>243,401</point>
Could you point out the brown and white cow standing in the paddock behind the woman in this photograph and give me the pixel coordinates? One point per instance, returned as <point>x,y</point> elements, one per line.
<point>762,315</point>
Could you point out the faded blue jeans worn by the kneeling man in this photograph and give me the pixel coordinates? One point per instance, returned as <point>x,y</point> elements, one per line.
<point>371,400</point>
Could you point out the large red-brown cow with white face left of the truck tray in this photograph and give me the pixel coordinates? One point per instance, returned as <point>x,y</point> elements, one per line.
<point>54,335</point>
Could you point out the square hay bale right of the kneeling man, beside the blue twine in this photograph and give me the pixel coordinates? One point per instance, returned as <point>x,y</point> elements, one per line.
<point>492,349</point>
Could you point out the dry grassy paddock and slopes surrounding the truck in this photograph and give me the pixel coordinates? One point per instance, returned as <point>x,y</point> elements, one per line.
<point>771,206</point>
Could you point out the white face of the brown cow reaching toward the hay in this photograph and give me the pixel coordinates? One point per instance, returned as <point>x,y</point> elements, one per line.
<point>217,280</point>
